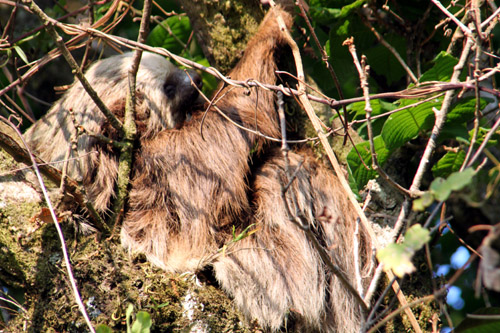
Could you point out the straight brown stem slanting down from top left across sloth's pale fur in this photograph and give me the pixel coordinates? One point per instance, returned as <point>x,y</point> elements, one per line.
<point>49,26</point>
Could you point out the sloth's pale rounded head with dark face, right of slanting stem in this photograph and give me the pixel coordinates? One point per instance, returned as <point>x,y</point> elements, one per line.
<point>165,93</point>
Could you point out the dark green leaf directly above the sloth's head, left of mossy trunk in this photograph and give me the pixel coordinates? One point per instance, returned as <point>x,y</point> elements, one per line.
<point>171,34</point>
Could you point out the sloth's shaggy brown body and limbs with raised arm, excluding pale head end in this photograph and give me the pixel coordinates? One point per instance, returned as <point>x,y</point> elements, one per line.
<point>191,190</point>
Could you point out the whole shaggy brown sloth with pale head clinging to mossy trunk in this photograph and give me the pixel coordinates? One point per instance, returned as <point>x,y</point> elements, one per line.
<point>192,192</point>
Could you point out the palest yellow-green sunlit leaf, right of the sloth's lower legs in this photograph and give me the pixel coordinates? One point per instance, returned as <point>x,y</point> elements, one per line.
<point>395,257</point>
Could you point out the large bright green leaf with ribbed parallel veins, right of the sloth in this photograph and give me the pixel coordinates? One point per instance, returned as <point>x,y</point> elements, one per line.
<point>405,125</point>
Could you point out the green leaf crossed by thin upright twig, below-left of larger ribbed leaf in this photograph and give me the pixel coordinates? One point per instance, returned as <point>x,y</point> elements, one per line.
<point>359,172</point>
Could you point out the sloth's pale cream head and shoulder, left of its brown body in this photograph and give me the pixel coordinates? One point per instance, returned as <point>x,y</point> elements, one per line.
<point>165,96</point>
